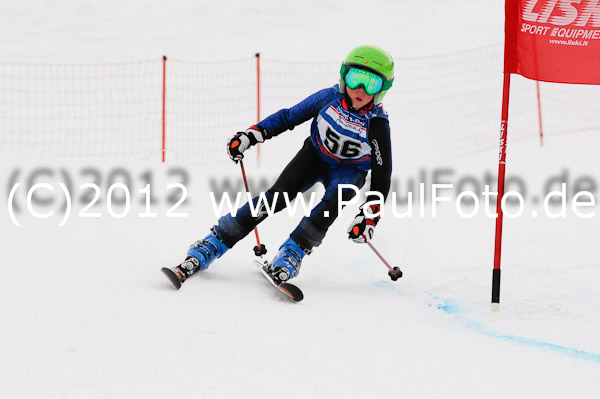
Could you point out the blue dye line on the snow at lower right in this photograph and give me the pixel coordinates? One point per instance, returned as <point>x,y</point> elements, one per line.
<point>452,308</point>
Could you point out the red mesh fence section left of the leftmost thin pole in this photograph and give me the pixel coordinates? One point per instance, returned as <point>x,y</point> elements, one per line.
<point>91,111</point>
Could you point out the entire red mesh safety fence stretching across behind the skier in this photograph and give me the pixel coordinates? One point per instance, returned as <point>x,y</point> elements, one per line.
<point>440,106</point>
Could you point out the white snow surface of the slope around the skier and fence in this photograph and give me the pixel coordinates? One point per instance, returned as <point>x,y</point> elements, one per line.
<point>86,312</point>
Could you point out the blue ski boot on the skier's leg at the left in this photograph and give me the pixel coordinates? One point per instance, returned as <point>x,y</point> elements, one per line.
<point>200,255</point>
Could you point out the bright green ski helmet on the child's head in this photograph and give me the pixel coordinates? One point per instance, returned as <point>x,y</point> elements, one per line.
<point>372,59</point>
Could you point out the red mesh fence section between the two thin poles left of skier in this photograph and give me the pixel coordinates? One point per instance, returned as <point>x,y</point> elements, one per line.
<point>206,103</point>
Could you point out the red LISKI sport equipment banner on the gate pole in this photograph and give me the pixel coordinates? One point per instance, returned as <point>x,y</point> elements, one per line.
<point>553,40</point>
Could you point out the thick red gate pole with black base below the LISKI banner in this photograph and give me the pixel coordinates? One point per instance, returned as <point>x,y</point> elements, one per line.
<point>501,178</point>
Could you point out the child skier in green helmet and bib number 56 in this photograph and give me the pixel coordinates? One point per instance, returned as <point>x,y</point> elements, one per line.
<point>349,135</point>
